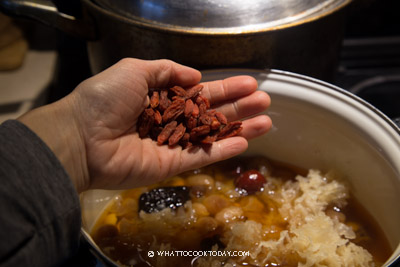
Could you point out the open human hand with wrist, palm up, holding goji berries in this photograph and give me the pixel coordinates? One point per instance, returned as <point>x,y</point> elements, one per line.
<point>100,147</point>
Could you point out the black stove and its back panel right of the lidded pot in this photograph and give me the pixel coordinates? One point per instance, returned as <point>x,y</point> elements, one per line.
<point>370,56</point>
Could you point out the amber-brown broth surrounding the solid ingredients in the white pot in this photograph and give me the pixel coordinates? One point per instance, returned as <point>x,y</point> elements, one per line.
<point>216,208</point>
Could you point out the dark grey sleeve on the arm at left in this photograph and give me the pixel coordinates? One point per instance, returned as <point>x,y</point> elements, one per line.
<point>39,207</point>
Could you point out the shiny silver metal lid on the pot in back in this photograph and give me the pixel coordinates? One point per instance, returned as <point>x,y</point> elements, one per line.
<point>222,16</point>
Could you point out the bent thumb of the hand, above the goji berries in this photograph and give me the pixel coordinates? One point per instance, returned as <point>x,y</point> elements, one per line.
<point>164,73</point>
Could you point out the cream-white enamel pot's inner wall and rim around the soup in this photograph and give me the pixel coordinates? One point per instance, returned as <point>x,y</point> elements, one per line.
<point>316,125</point>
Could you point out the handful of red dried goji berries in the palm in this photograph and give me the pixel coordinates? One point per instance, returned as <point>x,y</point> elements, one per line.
<point>183,117</point>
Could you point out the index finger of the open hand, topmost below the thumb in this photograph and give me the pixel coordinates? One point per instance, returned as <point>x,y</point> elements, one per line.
<point>228,89</point>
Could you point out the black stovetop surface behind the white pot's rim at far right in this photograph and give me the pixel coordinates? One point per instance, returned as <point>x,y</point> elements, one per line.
<point>370,68</point>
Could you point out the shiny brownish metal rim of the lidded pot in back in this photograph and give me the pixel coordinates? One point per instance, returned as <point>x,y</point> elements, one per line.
<point>233,31</point>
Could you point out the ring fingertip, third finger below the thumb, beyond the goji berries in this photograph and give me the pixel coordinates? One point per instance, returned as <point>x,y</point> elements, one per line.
<point>255,127</point>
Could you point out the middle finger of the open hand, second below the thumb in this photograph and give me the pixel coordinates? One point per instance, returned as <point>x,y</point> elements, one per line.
<point>247,106</point>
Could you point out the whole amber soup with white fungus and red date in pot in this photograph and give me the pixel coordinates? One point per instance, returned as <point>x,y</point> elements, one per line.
<point>247,211</point>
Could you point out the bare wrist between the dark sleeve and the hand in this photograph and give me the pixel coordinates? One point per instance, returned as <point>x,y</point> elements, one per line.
<point>57,126</point>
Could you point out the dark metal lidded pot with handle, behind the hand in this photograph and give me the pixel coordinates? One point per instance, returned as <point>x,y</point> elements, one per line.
<point>299,36</point>
